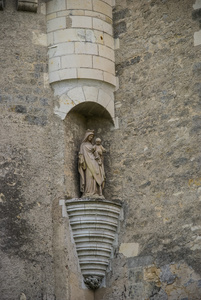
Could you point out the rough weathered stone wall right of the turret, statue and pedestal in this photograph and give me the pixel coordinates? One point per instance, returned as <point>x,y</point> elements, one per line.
<point>156,166</point>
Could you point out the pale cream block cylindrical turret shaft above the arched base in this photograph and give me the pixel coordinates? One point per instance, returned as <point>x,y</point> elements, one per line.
<point>80,40</point>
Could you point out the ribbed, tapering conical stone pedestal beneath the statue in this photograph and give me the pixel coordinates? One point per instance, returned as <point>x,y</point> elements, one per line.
<point>94,225</point>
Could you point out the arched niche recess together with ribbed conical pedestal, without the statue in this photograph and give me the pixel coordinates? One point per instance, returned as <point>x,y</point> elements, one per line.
<point>93,221</point>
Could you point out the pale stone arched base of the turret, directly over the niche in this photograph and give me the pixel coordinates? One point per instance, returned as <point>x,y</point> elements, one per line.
<point>95,96</point>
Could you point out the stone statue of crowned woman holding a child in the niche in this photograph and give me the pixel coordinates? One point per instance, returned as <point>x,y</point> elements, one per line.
<point>90,166</point>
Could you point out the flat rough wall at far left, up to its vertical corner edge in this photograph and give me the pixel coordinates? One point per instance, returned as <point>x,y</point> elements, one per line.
<point>26,180</point>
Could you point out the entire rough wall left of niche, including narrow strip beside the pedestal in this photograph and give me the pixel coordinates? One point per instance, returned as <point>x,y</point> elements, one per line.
<point>38,260</point>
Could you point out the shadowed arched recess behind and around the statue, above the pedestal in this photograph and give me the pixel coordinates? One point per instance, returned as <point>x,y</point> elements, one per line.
<point>87,115</point>
